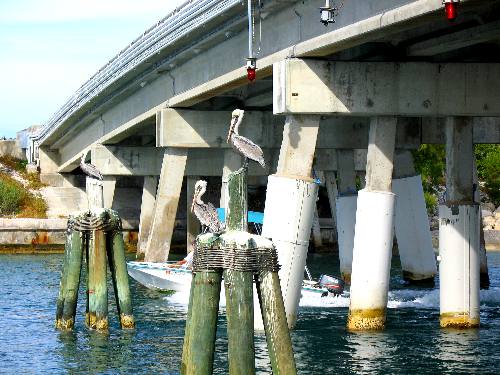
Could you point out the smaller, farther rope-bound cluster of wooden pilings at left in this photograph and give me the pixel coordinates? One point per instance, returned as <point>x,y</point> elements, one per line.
<point>97,235</point>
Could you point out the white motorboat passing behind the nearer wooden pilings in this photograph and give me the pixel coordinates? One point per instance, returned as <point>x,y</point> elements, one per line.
<point>170,276</point>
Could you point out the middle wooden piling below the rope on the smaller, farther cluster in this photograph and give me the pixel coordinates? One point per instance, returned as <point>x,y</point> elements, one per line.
<point>97,288</point>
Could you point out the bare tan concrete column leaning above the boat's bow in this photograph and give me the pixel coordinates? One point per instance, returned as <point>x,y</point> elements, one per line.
<point>167,200</point>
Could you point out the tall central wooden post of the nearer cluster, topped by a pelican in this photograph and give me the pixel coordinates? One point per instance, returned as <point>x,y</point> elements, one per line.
<point>239,285</point>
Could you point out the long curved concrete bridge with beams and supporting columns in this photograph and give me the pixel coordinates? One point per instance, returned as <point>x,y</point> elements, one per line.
<point>357,95</point>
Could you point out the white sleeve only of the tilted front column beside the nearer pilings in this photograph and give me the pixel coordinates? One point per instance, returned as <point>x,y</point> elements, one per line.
<point>288,215</point>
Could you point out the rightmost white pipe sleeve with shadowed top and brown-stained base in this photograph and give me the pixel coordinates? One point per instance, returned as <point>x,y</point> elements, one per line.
<point>459,265</point>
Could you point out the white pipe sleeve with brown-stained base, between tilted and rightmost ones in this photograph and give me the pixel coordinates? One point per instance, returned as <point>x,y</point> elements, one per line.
<point>371,260</point>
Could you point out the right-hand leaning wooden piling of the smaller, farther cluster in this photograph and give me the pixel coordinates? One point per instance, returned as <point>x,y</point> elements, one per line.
<point>118,267</point>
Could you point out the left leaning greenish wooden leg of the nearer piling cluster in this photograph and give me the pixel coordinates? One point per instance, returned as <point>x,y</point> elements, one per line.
<point>201,326</point>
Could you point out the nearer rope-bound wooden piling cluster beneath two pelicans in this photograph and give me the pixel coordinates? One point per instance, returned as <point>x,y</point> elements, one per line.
<point>239,258</point>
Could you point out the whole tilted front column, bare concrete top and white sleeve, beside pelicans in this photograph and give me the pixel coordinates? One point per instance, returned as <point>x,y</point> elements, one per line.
<point>290,204</point>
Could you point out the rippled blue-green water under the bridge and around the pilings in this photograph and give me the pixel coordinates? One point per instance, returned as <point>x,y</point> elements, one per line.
<point>413,343</point>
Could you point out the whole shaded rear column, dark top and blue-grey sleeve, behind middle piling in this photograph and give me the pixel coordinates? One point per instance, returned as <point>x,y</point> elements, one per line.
<point>346,210</point>
